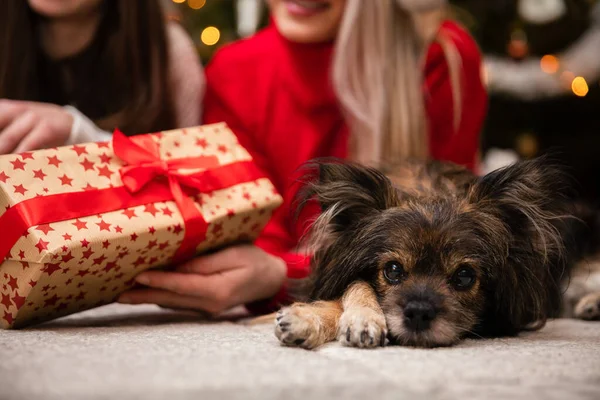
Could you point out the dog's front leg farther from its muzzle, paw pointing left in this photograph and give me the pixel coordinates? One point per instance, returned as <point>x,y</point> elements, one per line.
<point>308,325</point>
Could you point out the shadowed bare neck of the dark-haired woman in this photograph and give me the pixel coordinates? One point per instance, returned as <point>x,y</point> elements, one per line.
<point>64,37</point>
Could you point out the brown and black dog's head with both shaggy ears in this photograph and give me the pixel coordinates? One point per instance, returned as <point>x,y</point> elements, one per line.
<point>454,256</point>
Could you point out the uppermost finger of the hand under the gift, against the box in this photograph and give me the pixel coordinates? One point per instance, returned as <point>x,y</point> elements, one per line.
<point>226,259</point>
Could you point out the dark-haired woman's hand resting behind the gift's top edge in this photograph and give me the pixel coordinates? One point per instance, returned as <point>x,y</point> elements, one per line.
<point>26,126</point>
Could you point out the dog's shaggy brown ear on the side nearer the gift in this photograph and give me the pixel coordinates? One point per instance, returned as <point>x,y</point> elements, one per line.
<point>348,195</point>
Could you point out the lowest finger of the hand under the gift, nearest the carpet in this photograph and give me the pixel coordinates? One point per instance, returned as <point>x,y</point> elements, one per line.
<point>167,299</point>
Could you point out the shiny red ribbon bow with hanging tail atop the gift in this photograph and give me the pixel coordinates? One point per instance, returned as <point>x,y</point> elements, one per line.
<point>144,165</point>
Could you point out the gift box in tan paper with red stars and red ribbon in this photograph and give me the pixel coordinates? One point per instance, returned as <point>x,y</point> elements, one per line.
<point>78,223</point>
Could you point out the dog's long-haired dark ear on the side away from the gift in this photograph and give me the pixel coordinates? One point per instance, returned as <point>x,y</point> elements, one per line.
<point>529,198</point>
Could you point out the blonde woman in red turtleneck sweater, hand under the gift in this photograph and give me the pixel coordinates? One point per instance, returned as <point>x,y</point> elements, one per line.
<point>371,81</point>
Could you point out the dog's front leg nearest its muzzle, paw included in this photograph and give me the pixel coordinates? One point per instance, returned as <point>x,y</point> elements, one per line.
<point>362,323</point>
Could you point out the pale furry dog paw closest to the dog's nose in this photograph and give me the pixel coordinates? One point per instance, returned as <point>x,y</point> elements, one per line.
<point>362,327</point>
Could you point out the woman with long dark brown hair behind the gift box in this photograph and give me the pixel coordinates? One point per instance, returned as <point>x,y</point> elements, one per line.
<point>72,71</point>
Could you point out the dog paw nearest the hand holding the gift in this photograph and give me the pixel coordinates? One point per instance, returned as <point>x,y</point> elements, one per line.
<point>295,326</point>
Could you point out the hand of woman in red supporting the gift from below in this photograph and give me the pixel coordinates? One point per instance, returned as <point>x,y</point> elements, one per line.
<point>214,283</point>
